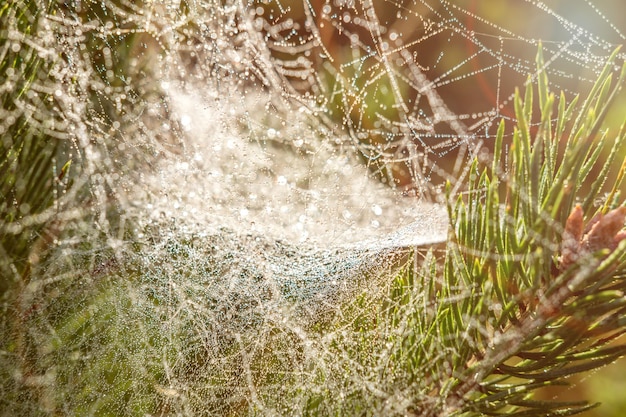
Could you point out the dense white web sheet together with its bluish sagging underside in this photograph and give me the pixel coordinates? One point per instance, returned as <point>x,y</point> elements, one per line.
<point>253,200</point>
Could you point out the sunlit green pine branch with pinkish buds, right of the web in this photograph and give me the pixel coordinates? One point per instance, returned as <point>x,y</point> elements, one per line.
<point>557,289</point>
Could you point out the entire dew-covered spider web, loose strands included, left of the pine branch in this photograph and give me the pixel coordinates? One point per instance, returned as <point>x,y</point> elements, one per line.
<point>244,174</point>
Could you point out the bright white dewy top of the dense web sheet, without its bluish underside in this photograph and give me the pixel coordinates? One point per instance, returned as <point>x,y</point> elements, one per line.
<point>263,183</point>
